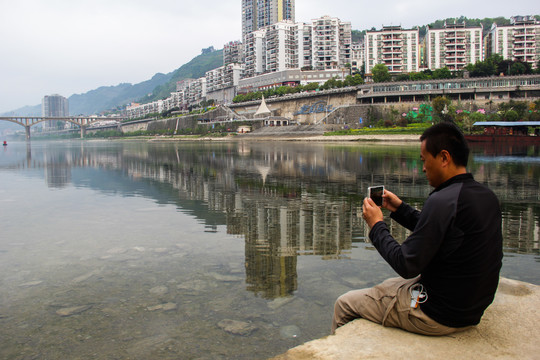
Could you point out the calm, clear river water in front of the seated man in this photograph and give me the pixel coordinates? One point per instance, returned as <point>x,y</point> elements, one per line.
<point>209,250</point>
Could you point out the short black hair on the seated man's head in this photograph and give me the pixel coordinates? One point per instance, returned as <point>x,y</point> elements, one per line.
<point>447,136</point>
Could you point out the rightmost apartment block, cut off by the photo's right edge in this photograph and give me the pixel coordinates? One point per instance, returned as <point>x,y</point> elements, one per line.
<point>519,41</point>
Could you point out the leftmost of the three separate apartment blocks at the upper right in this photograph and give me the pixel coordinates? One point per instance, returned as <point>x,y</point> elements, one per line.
<point>393,46</point>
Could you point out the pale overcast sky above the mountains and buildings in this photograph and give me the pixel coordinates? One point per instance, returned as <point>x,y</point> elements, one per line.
<point>69,47</point>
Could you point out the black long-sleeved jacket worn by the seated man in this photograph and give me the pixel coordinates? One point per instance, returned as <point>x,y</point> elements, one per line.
<point>456,247</point>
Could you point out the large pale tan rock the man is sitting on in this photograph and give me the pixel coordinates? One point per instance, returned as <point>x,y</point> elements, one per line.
<point>508,330</point>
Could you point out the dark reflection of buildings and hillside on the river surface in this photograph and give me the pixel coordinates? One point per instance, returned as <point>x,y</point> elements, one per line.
<point>288,200</point>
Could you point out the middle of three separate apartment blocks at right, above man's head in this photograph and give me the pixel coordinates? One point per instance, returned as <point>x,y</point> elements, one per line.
<point>453,46</point>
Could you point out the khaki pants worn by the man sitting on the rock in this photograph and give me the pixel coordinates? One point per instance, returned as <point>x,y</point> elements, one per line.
<point>388,304</point>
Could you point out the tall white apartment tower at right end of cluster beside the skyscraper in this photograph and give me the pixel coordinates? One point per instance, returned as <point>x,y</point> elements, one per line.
<point>331,43</point>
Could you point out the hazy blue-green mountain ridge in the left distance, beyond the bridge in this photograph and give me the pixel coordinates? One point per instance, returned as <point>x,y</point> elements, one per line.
<point>112,97</point>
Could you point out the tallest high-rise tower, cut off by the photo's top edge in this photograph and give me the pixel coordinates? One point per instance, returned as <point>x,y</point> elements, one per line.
<point>257,14</point>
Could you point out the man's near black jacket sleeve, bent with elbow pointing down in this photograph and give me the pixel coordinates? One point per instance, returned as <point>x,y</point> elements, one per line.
<point>410,258</point>
